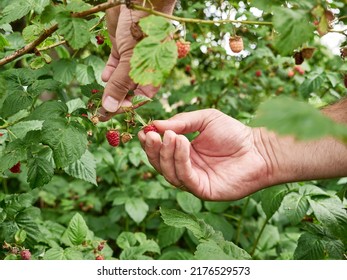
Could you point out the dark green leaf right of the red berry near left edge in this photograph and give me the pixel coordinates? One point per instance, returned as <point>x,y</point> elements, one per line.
<point>40,172</point>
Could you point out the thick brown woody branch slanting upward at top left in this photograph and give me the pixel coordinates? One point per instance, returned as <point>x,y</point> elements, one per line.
<point>48,32</point>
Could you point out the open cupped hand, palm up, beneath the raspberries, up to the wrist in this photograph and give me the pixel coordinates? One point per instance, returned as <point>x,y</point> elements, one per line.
<point>222,163</point>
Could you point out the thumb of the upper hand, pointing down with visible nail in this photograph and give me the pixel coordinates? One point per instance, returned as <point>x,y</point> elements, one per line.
<point>118,85</point>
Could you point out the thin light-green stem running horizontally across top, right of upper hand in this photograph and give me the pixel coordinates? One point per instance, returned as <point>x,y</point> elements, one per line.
<point>194,20</point>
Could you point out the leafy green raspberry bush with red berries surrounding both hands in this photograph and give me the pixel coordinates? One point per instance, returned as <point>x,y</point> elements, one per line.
<point>66,193</point>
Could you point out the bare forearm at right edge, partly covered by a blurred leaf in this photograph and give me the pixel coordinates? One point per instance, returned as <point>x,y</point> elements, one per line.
<point>290,160</point>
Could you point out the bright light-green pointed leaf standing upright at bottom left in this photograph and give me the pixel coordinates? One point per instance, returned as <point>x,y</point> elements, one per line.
<point>77,230</point>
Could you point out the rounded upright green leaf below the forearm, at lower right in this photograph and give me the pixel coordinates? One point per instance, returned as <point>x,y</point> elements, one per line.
<point>295,206</point>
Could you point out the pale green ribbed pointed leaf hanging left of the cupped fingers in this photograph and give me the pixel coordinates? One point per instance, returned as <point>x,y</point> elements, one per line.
<point>84,168</point>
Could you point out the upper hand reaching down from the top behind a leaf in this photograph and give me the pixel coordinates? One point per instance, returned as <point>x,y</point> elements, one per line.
<point>116,71</point>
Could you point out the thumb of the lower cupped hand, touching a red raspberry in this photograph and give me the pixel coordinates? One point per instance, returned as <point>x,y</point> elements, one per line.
<point>188,122</point>
